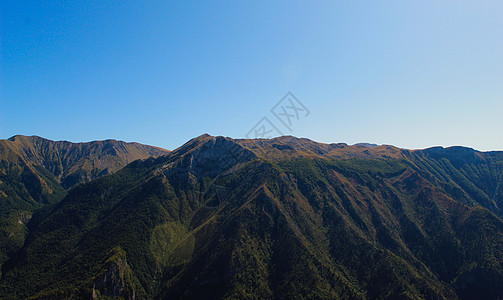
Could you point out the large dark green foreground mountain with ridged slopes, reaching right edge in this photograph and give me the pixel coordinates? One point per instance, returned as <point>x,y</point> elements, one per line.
<point>282,218</point>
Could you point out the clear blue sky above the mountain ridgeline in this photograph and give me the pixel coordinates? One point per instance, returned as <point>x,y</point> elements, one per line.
<point>413,74</point>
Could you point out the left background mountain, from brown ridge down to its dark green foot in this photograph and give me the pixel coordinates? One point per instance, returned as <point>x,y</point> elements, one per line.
<point>35,172</point>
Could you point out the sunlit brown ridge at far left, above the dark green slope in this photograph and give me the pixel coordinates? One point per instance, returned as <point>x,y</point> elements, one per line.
<point>74,163</point>
